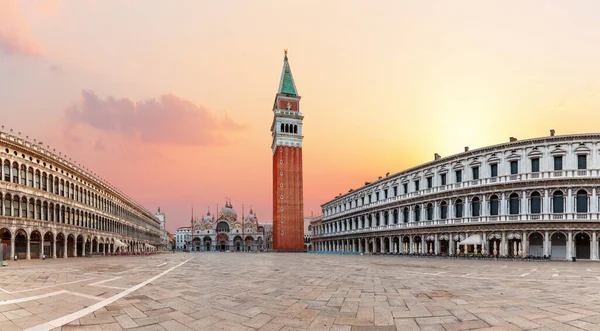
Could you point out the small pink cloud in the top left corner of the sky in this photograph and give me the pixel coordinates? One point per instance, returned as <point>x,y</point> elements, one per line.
<point>15,37</point>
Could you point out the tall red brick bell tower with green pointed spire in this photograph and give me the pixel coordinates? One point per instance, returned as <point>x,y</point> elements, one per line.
<point>286,130</point>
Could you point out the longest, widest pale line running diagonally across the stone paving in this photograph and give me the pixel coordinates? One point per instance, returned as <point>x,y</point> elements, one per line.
<point>59,322</point>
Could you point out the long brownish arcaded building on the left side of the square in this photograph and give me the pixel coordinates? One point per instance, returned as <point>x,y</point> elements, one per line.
<point>52,207</point>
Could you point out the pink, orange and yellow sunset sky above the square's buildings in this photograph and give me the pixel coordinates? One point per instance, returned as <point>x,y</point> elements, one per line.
<point>171,101</point>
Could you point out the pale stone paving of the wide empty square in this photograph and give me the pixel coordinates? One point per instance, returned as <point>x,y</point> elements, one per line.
<point>250,291</point>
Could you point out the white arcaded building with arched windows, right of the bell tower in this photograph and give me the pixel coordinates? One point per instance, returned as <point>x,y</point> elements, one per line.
<point>534,197</point>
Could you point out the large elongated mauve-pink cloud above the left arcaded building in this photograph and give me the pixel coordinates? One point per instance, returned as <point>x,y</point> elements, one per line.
<point>166,120</point>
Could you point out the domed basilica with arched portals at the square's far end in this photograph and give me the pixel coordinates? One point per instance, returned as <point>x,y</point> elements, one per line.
<point>224,233</point>
